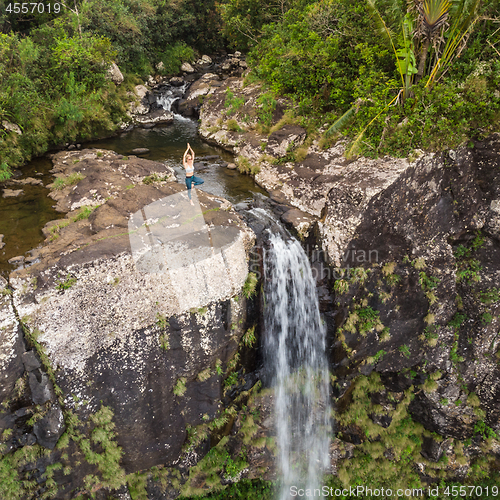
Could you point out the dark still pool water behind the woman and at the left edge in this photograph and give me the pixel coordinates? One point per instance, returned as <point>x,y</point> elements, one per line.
<point>22,218</point>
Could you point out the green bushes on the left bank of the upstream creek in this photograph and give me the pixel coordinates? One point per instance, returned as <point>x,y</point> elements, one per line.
<point>53,67</point>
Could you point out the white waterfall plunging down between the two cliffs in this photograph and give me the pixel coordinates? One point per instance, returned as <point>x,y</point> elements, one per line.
<point>295,354</point>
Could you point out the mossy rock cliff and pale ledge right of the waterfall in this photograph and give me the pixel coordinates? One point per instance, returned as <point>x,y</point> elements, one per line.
<point>412,251</point>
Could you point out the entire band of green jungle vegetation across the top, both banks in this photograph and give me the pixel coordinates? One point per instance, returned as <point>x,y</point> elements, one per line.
<point>392,75</point>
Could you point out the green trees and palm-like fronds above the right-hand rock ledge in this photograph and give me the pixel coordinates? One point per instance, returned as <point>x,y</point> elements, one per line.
<point>392,76</point>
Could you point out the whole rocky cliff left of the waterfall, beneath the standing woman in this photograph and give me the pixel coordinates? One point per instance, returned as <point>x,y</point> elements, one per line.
<point>125,323</point>
